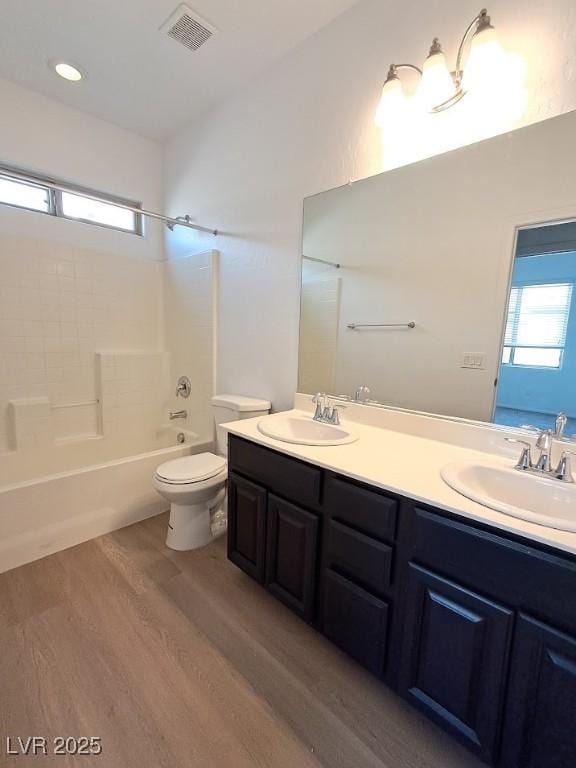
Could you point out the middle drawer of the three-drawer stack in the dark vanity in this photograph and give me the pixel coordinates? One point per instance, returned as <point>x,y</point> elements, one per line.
<point>364,560</point>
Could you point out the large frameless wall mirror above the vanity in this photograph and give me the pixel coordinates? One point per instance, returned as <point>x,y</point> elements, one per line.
<point>447,286</point>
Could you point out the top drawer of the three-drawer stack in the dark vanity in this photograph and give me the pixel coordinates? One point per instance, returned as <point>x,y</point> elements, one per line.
<point>368,511</point>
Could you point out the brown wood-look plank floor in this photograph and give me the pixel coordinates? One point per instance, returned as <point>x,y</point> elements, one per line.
<point>179,660</point>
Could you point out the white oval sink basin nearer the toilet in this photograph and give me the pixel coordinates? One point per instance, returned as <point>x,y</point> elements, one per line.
<point>302,429</point>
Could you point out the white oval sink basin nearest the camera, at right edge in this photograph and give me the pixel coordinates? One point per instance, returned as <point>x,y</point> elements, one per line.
<point>537,499</point>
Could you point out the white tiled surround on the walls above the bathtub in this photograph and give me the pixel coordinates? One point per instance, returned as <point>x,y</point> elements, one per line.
<point>84,357</point>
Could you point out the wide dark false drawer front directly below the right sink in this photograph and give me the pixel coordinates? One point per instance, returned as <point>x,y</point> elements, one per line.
<point>509,570</point>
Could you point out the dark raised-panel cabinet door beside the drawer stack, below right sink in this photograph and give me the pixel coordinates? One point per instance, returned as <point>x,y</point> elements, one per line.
<point>454,664</point>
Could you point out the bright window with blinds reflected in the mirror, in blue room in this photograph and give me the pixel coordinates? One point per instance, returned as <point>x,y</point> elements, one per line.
<point>536,325</point>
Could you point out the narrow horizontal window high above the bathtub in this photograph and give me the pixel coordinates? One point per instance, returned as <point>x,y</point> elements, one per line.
<point>22,190</point>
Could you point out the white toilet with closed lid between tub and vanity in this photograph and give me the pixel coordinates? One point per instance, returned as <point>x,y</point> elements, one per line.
<point>195,485</point>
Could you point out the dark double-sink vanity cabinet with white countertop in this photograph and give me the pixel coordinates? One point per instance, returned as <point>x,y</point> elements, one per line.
<point>467,612</point>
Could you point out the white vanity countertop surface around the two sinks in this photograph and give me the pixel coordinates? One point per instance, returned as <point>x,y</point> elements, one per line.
<point>410,466</point>
